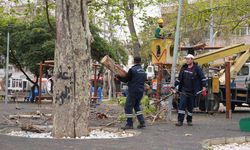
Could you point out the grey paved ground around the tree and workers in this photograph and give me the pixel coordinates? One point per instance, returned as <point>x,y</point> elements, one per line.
<point>160,136</point>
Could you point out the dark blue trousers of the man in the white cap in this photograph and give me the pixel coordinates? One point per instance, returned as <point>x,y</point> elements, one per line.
<point>186,103</point>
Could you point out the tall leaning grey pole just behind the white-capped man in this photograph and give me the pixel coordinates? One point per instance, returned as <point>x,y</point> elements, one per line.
<point>176,45</point>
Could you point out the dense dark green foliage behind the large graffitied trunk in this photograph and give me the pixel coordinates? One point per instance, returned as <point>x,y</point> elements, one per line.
<point>33,42</point>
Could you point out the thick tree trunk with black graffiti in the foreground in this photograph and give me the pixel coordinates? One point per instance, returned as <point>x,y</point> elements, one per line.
<point>72,65</point>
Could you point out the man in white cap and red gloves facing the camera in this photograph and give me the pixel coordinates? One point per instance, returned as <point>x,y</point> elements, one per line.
<point>191,81</point>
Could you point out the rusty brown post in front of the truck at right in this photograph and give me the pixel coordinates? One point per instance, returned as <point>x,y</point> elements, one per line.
<point>228,91</point>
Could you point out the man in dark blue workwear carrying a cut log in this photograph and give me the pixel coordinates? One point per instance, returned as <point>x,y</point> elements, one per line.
<point>135,78</point>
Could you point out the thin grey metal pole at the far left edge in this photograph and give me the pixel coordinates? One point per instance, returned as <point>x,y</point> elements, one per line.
<point>7,67</point>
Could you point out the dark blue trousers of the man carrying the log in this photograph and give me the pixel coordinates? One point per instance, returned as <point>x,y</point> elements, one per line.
<point>133,102</point>
